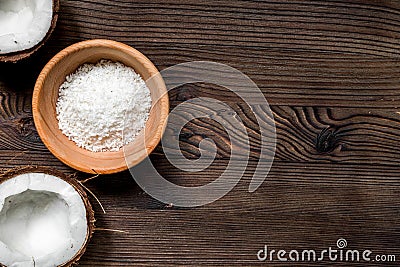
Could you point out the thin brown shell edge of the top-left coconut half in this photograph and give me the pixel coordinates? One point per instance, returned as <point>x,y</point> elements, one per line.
<point>16,56</point>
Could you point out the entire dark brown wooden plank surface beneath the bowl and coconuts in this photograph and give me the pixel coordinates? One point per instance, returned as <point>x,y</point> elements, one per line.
<point>324,66</point>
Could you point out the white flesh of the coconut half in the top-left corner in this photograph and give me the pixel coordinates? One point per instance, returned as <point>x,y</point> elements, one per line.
<point>23,23</point>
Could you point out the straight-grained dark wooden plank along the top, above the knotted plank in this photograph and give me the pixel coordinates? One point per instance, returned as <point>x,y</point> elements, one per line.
<point>299,53</point>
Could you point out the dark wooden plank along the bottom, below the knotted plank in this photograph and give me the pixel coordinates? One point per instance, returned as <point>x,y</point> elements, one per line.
<point>299,206</point>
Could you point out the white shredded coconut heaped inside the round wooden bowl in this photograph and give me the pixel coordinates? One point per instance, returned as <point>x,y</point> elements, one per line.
<point>103,106</point>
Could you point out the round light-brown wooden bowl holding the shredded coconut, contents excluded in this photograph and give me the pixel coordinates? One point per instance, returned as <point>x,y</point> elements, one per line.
<point>45,97</point>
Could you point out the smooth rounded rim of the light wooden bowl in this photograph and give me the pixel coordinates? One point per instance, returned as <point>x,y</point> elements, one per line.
<point>87,45</point>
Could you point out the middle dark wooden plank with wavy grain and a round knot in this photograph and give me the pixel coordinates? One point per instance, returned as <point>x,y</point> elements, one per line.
<point>354,135</point>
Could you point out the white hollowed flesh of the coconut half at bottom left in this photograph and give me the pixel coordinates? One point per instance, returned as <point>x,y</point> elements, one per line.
<point>42,221</point>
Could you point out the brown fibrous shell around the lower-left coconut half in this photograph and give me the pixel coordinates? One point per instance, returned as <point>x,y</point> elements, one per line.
<point>75,184</point>
